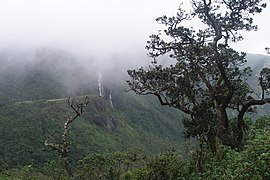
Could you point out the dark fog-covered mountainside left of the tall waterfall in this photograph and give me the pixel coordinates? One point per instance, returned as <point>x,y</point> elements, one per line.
<point>44,74</point>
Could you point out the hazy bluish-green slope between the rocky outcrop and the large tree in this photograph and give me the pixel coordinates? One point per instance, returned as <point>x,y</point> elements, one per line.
<point>147,113</point>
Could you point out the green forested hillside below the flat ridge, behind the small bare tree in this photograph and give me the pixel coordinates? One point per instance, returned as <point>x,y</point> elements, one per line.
<point>26,125</point>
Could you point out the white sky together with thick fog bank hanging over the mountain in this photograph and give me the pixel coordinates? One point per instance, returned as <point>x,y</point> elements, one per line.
<point>95,35</point>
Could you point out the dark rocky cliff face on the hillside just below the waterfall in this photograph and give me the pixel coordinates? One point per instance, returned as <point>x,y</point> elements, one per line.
<point>101,113</point>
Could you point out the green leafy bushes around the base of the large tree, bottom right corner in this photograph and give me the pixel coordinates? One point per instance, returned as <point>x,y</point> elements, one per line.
<point>253,162</point>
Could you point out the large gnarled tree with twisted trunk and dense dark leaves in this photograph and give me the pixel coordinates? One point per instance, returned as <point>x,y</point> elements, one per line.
<point>206,77</point>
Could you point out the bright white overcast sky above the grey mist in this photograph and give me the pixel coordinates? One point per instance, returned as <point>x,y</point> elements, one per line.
<point>98,27</point>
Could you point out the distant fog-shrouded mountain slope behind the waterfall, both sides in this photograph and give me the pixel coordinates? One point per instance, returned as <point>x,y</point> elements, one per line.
<point>51,73</point>
